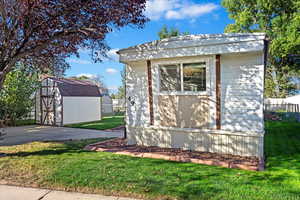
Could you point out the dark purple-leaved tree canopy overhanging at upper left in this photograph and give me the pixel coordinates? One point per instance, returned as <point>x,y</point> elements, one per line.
<point>40,32</point>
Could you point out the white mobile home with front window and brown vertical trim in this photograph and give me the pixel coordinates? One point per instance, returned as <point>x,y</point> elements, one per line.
<point>197,92</point>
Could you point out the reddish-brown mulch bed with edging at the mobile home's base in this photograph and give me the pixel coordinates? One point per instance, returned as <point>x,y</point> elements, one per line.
<point>119,146</point>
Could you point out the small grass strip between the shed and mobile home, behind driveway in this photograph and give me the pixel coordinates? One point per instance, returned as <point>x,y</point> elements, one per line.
<point>105,123</point>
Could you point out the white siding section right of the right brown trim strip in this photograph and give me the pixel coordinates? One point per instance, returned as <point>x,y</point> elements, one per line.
<point>242,92</point>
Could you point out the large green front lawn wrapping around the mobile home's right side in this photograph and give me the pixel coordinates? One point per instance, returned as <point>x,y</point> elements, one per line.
<point>66,166</point>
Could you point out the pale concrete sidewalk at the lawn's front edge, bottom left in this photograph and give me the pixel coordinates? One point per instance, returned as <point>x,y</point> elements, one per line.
<point>21,193</point>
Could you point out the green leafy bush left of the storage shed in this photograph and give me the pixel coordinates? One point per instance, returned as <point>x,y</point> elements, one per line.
<point>17,95</point>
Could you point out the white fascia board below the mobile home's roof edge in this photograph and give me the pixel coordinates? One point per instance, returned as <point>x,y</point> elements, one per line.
<point>208,49</point>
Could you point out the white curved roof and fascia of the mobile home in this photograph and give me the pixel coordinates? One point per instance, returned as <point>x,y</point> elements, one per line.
<point>193,45</point>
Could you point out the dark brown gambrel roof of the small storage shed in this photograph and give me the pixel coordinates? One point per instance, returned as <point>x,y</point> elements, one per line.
<point>77,88</point>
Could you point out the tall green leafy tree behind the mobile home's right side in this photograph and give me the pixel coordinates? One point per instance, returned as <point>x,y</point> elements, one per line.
<point>280,20</point>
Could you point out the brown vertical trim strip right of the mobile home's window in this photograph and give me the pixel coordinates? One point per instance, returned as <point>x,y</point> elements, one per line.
<point>218,92</point>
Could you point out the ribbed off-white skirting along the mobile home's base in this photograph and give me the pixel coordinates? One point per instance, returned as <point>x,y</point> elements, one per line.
<point>213,141</point>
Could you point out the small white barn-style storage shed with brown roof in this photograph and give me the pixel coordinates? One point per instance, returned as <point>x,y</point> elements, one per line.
<point>63,101</point>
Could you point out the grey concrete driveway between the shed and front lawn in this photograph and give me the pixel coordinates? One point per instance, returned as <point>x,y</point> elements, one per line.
<point>26,134</point>
